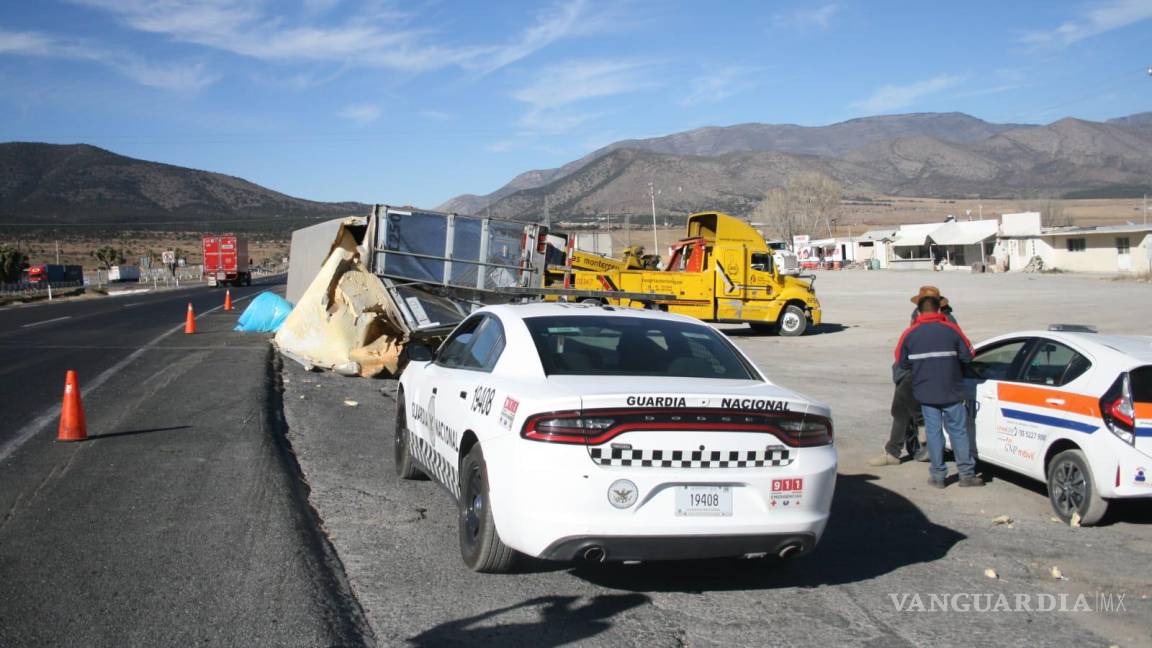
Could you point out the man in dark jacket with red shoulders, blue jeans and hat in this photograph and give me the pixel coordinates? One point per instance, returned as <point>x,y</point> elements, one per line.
<point>935,351</point>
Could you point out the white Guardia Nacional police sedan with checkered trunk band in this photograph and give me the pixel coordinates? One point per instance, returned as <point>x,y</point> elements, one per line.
<point>570,432</point>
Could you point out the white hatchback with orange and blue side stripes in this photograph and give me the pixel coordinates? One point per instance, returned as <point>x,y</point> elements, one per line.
<point>1071,409</point>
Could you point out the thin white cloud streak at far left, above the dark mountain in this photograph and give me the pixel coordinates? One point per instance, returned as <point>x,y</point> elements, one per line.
<point>177,77</point>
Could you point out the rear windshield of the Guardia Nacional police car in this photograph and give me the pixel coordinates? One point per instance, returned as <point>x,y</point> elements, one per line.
<point>634,346</point>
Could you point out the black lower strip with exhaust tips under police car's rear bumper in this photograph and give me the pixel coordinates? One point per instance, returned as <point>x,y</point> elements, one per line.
<point>677,548</point>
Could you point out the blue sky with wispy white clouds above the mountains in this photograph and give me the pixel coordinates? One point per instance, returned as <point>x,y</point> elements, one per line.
<point>419,102</point>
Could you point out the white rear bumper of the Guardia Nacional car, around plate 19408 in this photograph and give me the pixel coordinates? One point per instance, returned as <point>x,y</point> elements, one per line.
<point>552,500</point>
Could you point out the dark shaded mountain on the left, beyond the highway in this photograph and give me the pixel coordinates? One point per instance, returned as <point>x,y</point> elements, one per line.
<point>47,185</point>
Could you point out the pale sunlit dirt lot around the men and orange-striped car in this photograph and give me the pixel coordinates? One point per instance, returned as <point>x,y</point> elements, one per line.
<point>847,366</point>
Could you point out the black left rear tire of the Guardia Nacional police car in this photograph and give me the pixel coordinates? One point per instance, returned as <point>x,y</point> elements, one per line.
<point>481,547</point>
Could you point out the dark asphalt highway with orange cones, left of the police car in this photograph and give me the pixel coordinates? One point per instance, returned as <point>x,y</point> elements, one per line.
<point>183,519</point>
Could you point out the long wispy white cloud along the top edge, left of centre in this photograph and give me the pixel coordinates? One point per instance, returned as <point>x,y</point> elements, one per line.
<point>374,39</point>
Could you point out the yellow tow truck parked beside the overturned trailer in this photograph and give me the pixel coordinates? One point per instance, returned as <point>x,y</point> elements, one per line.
<point>722,272</point>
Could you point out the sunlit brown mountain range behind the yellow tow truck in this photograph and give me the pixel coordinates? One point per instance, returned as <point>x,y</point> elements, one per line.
<point>929,155</point>
